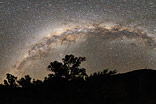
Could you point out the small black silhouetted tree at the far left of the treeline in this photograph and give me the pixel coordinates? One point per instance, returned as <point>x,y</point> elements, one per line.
<point>10,81</point>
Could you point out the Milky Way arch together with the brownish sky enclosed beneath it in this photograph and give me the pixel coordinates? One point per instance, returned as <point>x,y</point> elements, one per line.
<point>113,47</point>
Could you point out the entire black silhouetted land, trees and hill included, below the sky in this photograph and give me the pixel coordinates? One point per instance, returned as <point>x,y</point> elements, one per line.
<point>70,84</point>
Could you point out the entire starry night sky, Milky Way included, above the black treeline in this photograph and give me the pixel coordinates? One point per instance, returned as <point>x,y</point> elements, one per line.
<point>113,34</point>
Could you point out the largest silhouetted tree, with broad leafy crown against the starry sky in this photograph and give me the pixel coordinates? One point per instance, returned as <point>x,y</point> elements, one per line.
<point>69,68</point>
